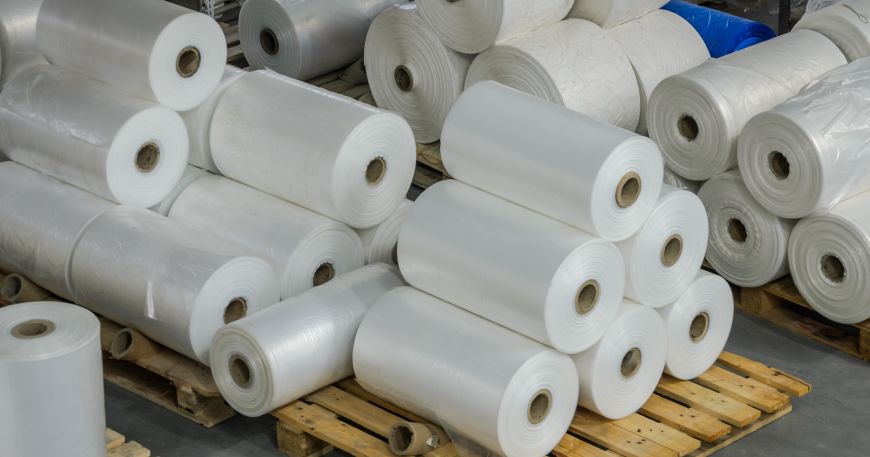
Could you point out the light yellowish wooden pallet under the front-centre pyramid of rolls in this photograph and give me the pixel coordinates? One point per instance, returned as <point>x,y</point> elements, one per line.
<point>733,399</point>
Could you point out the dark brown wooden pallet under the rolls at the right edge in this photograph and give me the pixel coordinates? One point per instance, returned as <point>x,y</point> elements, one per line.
<point>782,304</point>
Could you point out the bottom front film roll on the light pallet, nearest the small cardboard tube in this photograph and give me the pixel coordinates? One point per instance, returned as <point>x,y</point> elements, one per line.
<point>425,355</point>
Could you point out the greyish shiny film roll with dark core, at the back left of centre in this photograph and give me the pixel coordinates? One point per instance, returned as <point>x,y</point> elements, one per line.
<point>306,38</point>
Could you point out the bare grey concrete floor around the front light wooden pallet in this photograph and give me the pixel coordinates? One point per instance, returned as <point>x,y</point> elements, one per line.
<point>828,422</point>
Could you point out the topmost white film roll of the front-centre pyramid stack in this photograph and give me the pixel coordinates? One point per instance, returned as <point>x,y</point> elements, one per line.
<point>559,163</point>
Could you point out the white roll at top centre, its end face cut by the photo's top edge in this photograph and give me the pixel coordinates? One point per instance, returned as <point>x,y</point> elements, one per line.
<point>473,26</point>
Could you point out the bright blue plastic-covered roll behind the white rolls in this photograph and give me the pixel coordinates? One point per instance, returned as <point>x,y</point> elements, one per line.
<point>723,33</point>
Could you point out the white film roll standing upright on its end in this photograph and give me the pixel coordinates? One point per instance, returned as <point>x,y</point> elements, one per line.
<point>52,379</point>
